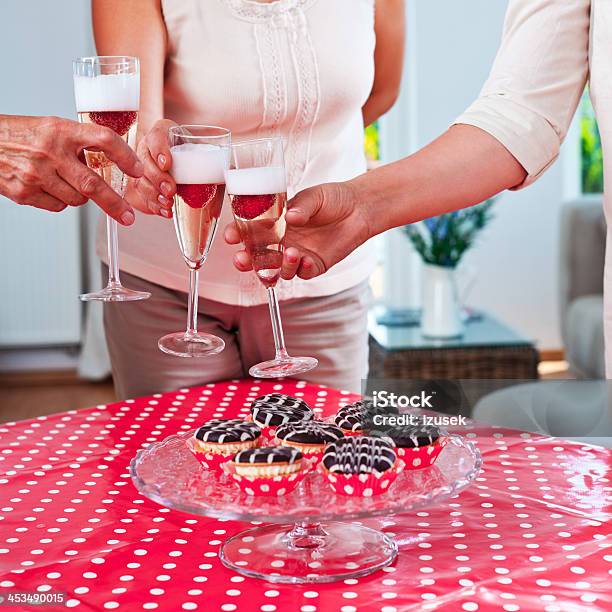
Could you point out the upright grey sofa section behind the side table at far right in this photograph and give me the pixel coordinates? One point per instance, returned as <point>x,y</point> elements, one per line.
<point>583,241</point>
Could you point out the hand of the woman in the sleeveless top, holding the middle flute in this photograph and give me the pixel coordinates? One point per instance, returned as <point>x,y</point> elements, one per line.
<point>154,191</point>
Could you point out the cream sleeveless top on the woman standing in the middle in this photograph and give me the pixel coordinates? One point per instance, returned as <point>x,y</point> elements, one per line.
<point>300,69</point>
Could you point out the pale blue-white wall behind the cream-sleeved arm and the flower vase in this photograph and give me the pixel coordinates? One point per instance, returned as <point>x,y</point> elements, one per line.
<point>451,47</point>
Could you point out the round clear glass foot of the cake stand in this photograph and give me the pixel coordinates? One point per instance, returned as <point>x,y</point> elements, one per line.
<point>308,554</point>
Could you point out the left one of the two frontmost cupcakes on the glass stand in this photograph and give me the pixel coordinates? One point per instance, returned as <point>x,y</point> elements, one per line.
<point>269,470</point>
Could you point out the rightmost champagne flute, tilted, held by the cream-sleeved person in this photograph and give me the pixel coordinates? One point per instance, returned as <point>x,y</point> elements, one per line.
<point>257,188</point>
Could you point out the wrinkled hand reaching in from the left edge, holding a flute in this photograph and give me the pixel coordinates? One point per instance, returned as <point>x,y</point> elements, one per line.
<point>41,164</point>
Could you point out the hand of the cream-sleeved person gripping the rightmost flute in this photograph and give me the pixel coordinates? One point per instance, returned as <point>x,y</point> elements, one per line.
<point>324,225</point>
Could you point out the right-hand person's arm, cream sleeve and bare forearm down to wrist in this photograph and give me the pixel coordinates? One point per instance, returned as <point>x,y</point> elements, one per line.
<point>510,135</point>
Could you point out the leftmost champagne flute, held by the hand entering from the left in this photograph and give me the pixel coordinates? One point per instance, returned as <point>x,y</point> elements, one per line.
<point>107,92</point>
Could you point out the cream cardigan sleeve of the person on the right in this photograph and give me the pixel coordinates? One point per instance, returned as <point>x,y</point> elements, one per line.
<point>536,81</point>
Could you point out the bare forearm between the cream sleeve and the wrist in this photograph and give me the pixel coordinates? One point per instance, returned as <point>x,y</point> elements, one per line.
<point>461,168</point>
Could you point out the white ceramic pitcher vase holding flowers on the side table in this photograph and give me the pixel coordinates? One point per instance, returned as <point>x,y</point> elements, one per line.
<point>441,307</point>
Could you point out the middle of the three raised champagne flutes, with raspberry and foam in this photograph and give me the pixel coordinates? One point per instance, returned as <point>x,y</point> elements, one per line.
<point>200,158</point>
